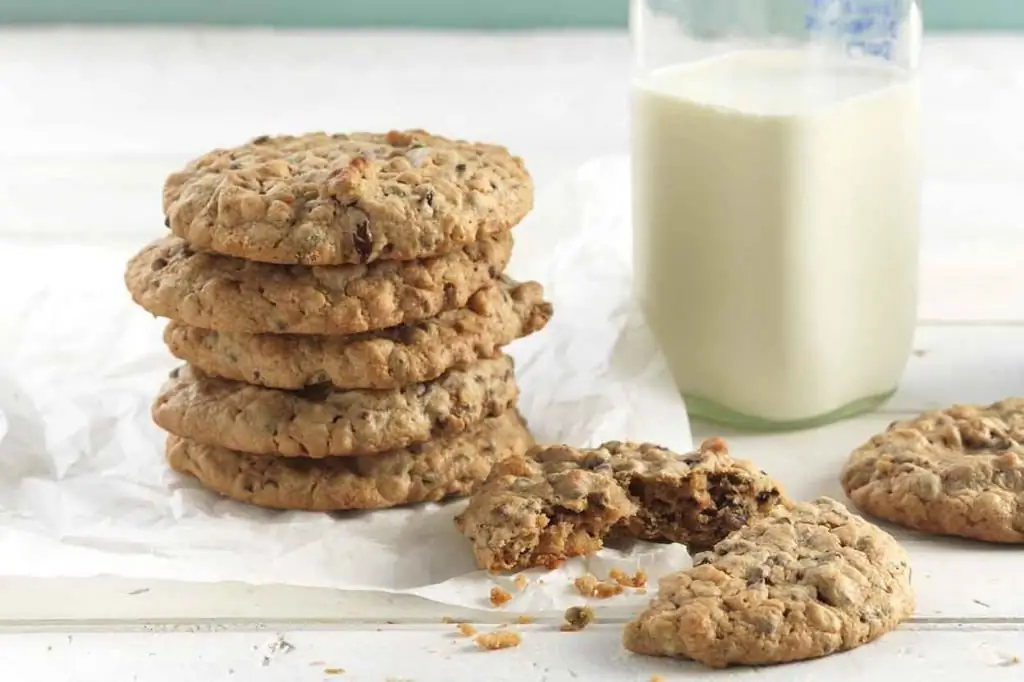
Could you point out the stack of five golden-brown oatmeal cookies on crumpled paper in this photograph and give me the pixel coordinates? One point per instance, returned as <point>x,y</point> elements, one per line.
<point>342,306</point>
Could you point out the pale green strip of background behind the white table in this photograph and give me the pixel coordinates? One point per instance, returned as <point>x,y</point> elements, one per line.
<point>941,15</point>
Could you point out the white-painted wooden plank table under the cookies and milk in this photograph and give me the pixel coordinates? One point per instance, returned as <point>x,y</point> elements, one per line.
<point>106,115</point>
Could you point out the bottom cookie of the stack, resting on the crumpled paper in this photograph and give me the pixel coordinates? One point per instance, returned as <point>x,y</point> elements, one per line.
<point>434,472</point>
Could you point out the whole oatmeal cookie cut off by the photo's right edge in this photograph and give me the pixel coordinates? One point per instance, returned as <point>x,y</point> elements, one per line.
<point>958,472</point>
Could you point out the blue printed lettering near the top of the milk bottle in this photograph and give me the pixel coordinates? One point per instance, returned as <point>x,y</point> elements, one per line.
<point>863,27</point>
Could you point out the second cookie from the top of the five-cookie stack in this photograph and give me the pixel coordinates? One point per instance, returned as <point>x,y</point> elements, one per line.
<point>170,280</point>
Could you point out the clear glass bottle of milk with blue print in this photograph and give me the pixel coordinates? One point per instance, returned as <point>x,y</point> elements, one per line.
<point>777,183</point>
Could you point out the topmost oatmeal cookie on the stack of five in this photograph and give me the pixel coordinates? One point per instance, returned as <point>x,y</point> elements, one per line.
<point>330,200</point>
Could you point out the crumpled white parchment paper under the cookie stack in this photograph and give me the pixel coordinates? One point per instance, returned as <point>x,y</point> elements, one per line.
<point>84,490</point>
